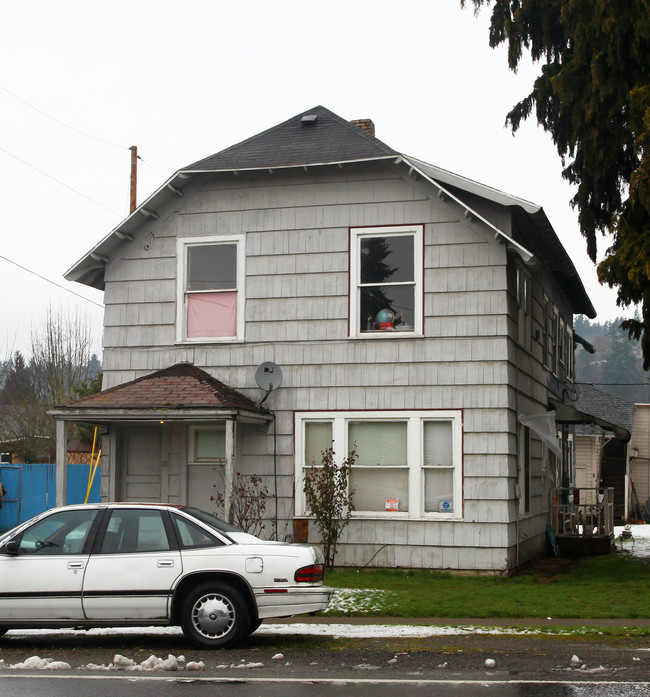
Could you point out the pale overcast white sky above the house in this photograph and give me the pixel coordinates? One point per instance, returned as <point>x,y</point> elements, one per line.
<point>84,80</point>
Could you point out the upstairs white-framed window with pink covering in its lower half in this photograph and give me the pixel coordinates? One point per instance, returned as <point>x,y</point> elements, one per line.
<point>210,295</point>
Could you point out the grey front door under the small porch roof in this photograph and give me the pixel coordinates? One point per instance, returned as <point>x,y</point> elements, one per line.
<point>142,464</point>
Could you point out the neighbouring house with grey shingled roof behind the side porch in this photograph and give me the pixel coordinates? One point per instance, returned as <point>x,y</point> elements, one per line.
<point>601,446</point>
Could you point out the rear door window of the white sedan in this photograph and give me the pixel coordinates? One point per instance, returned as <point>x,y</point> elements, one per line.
<point>131,530</point>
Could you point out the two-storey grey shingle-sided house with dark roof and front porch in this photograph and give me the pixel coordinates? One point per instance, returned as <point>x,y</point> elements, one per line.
<point>421,317</point>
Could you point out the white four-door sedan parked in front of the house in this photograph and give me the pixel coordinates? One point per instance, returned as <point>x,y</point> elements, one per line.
<point>124,564</point>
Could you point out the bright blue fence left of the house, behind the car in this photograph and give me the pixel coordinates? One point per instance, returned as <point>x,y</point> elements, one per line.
<point>31,489</point>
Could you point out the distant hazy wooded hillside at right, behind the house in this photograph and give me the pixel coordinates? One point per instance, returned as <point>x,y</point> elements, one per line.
<point>617,365</point>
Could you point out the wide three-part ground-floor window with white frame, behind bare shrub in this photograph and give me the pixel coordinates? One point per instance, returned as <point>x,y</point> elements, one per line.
<point>409,464</point>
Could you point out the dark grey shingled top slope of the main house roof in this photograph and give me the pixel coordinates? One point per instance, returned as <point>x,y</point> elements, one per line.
<point>328,139</point>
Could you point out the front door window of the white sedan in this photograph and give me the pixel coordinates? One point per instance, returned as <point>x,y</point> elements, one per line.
<point>60,533</point>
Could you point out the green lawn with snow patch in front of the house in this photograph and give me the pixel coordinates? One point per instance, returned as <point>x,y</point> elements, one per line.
<point>610,586</point>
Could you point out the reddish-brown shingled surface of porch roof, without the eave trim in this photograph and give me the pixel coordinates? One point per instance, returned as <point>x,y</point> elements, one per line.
<point>181,386</point>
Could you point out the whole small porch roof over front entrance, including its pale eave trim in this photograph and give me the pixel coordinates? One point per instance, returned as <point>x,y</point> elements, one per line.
<point>180,392</point>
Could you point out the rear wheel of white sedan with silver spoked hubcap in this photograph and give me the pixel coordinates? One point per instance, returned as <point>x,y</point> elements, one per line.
<point>214,616</point>
